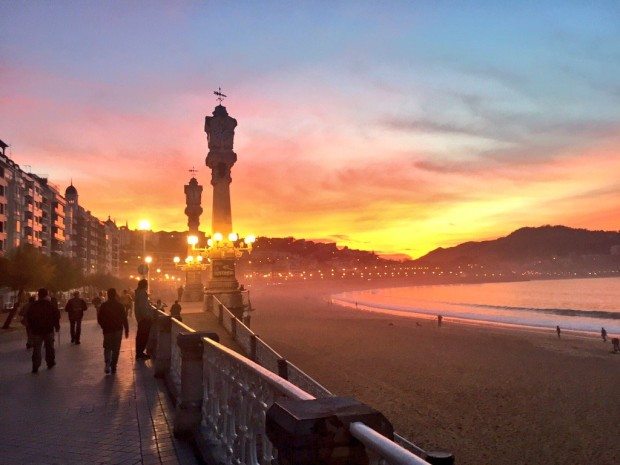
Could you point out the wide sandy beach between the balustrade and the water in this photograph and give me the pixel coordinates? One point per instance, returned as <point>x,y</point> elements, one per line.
<point>489,395</point>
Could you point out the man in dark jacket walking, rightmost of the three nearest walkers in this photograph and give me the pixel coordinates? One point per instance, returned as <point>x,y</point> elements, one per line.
<point>112,318</point>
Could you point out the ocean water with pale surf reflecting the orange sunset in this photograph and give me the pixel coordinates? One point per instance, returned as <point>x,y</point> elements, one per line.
<point>573,304</point>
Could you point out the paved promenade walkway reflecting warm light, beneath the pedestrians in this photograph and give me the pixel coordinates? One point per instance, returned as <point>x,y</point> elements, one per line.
<point>75,414</point>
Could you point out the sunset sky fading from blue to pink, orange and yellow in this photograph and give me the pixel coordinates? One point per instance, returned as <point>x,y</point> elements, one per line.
<point>397,127</point>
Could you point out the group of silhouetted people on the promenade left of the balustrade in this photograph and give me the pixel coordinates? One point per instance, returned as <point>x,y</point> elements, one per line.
<point>41,317</point>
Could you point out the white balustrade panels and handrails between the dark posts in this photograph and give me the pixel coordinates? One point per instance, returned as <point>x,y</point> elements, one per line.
<point>238,392</point>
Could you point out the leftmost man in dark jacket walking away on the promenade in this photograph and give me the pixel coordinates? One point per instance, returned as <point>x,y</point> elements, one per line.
<point>43,318</point>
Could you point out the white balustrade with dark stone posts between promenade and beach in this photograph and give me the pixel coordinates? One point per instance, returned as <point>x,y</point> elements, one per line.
<point>263,409</point>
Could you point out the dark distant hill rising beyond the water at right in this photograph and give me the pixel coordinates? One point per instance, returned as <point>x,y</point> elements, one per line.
<point>527,244</point>
